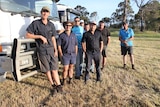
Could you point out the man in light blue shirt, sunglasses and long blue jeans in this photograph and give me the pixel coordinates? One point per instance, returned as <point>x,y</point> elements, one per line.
<point>78,31</point>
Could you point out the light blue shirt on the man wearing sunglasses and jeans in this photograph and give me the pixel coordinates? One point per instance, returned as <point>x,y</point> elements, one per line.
<point>78,31</point>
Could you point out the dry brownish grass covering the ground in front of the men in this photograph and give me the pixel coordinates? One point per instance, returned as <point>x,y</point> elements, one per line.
<point>119,88</point>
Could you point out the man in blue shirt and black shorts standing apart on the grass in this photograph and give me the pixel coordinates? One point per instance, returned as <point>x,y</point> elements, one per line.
<point>126,36</point>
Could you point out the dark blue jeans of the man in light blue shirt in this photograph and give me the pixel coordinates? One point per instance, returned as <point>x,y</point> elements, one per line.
<point>79,60</point>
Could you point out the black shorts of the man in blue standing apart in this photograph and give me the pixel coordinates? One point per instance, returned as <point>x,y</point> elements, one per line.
<point>125,50</point>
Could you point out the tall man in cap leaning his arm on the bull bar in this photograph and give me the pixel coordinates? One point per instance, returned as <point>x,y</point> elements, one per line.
<point>43,31</point>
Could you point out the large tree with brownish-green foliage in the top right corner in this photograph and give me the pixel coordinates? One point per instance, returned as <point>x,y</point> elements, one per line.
<point>149,15</point>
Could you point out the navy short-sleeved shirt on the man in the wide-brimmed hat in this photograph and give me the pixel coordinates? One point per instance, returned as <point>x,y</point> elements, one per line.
<point>67,43</point>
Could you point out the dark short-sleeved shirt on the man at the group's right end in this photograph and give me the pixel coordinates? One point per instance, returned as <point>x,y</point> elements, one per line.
<point>105,34</point>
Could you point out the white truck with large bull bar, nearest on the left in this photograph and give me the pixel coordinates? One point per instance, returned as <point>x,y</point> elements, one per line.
<point>17,53</point>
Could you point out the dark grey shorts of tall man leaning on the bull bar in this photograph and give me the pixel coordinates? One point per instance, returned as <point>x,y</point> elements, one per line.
<point>48,63</point>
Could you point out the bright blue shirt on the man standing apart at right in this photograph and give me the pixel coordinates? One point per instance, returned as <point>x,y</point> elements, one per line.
<point>126,34</point>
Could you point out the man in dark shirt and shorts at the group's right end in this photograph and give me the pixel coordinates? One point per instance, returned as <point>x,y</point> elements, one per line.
<point>106,40</point>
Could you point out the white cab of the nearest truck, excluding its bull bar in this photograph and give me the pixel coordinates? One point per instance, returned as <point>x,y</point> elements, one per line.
<point>16,15</point>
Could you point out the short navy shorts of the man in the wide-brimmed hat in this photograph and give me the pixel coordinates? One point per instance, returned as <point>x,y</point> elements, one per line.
<point>68,59</point>
